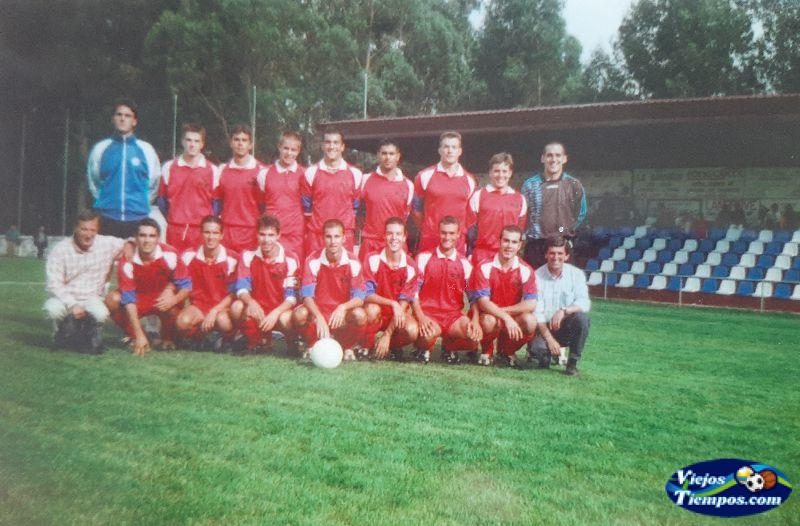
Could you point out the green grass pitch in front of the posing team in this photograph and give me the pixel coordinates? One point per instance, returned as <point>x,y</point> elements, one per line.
<point>198,438</point>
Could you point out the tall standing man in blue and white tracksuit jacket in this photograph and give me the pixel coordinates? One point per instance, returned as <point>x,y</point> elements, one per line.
<point>123,174</point>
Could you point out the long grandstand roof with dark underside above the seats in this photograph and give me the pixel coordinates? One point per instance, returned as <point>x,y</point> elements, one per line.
<point>716,131</point>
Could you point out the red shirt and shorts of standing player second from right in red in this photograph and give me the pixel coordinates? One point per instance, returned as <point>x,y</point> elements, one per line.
<point>438,194</point>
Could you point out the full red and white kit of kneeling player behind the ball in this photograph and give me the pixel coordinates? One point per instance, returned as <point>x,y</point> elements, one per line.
<point>332,283</point>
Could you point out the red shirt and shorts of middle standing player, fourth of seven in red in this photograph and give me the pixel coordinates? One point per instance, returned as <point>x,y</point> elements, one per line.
<point>330,192</point>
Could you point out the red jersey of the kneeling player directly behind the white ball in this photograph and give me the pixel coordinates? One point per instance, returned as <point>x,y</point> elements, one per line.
<point>332,283</point>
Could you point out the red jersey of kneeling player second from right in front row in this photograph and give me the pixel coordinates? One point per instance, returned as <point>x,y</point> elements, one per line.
<point>443,282</point>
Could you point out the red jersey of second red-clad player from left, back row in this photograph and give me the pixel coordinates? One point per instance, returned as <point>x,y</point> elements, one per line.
<point>239,193</point>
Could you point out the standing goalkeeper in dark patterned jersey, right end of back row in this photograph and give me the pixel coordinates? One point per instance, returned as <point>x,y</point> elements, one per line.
<point>556,204</point>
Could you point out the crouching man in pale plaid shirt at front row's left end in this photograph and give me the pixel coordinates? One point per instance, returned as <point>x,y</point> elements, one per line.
<point>77,271</point>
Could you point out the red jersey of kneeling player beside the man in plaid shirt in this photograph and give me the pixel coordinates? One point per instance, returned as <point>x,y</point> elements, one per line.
<point>142,282</point>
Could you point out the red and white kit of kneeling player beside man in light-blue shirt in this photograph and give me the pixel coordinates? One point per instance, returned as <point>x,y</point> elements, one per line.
<point>505,288</point>
